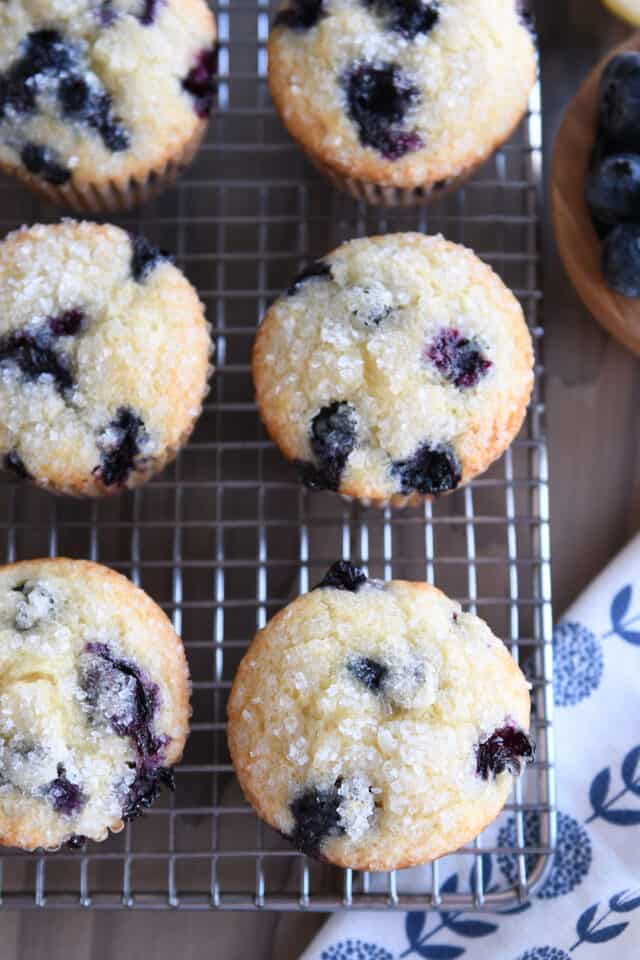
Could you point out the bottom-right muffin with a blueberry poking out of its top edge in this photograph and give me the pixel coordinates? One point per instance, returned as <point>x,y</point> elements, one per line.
<point>377,725</point>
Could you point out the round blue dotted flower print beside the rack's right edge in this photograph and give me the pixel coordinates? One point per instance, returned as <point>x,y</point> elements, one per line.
<point>578,663</point>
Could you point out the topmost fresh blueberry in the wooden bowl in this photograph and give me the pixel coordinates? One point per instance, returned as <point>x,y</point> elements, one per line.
<point>620,102</point>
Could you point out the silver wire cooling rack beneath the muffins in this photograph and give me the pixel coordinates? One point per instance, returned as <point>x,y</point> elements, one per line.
<point>226,536</point>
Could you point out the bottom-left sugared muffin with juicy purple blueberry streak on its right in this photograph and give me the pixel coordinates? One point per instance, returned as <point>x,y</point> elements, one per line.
<point>94,702</point>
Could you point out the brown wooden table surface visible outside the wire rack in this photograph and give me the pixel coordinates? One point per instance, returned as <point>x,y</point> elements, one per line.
<point>593,393</point>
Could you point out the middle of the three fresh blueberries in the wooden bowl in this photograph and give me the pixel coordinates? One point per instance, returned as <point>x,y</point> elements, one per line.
<point>613,189</point>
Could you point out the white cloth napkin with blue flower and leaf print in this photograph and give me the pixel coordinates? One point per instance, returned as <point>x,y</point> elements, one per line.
<point>589,905</point>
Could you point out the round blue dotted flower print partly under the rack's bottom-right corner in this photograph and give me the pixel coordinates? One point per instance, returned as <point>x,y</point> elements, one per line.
<point>571,861</point>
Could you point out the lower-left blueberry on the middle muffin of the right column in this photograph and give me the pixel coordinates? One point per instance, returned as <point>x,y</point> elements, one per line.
<point>333,437</point>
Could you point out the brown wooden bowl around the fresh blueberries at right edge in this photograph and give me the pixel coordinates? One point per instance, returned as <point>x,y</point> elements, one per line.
<point>578,243</point>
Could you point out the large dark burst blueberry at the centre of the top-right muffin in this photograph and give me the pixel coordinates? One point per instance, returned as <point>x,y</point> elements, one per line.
<point>379,95</point>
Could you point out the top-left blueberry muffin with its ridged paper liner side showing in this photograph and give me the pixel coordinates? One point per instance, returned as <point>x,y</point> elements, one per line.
<point>103,101</point>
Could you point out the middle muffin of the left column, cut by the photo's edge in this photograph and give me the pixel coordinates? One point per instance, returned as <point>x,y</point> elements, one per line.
<point>104,357</point>
